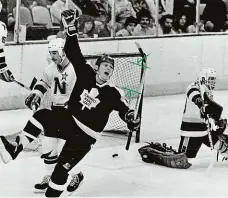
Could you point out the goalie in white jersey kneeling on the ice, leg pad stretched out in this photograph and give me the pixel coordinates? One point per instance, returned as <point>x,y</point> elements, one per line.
<point>201,116</point>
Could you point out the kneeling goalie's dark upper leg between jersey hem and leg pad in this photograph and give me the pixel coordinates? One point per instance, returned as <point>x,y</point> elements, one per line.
<point>190,145</point>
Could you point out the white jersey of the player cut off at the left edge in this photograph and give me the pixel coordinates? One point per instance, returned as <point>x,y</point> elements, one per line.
<point>3,35</point>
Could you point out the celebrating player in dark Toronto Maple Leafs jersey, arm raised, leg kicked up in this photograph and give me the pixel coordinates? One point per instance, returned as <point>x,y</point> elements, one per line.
<point>81,121</point>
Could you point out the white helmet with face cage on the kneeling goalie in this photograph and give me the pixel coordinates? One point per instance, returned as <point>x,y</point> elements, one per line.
<point>207,77</point>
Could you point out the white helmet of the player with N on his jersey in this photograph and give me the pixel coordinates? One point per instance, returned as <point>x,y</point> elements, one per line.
<point>57,45</point>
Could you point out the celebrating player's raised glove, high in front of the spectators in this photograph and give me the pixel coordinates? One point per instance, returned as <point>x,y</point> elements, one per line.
<point>70,21</point>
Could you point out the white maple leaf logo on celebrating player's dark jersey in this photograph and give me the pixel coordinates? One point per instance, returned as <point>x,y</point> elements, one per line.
<point>88,99</point>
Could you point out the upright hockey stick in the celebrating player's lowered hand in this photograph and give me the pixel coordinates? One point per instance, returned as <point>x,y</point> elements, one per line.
<point>144,64</point>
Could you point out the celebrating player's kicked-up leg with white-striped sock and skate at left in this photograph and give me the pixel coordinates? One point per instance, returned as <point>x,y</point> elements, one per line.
<point>41,121</point>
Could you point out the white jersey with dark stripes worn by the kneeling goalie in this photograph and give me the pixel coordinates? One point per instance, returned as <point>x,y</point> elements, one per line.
<point>193,125</point>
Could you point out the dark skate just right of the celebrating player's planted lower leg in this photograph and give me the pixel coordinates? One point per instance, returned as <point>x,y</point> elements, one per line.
<point>76,181</point>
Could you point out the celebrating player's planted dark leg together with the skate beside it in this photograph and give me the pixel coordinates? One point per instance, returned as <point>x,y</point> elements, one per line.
<point>76,147</point>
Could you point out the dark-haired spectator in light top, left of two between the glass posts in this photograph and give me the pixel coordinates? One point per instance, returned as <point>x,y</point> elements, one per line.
<point>129,27</point>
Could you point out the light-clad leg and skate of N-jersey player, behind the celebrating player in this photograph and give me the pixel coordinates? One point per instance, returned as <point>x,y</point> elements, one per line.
<point>50,157</point>
